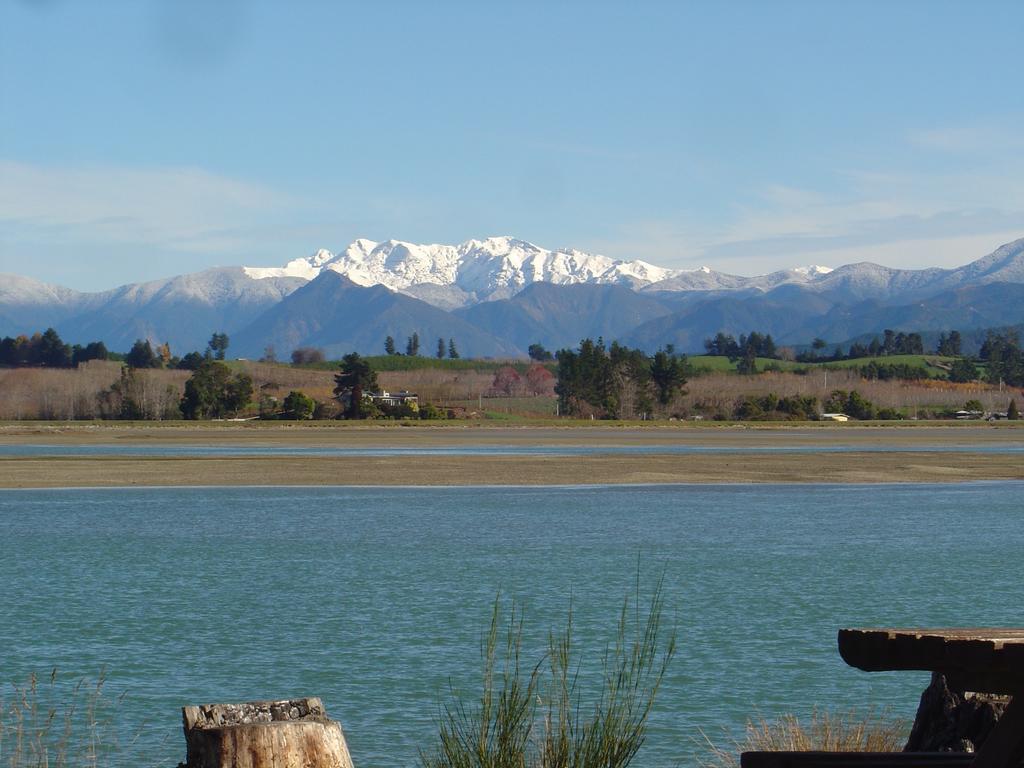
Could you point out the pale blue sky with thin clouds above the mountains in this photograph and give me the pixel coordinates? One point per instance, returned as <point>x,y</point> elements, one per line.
<point>141,140</point>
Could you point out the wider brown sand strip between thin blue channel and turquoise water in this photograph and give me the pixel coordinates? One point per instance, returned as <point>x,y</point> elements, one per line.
<point>510,471</point>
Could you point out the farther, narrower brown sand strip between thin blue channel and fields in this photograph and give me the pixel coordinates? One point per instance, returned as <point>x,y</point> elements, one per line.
<point>419,435</point>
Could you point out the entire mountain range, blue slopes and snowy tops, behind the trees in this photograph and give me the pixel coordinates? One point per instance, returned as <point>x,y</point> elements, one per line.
<point>497,296</point>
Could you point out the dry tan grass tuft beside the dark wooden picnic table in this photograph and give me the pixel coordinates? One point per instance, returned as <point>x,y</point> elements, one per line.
<point>849,732</point>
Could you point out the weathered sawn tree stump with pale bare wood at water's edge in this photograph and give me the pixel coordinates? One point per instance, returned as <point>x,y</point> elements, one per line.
<point>292,734</point>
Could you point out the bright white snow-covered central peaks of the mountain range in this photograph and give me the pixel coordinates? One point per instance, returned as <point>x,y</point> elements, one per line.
<point>473,272</point>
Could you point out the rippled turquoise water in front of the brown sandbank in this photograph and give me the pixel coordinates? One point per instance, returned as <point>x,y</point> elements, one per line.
<point>374,599</point>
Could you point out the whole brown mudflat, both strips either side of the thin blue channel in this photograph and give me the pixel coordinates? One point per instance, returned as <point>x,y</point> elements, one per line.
<point>919,454</point>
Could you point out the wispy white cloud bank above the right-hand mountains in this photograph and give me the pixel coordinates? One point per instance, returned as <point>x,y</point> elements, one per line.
<point>929,214</point>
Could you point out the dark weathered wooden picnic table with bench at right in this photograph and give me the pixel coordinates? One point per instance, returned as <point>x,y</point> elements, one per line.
<point>984,661</point>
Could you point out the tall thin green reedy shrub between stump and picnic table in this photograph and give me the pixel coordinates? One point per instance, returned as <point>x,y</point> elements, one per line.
<point>540,717</point>
